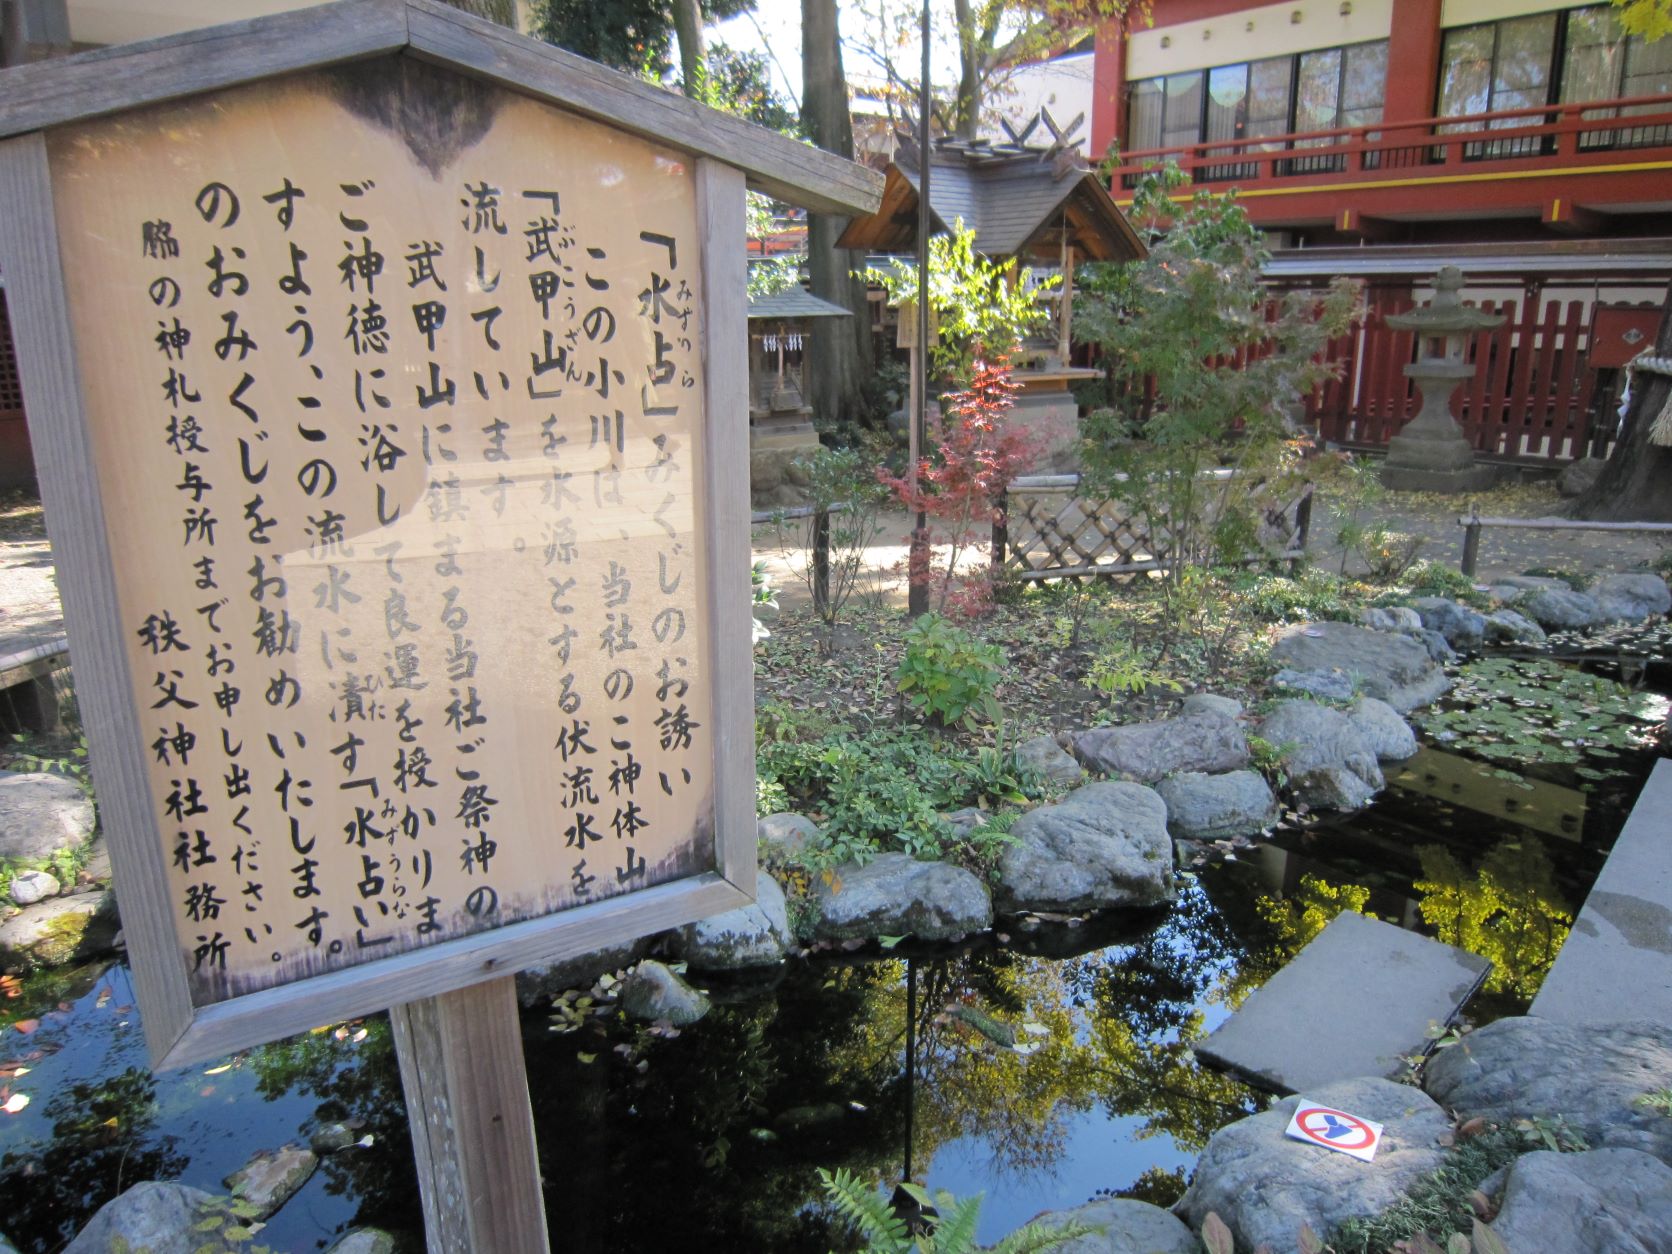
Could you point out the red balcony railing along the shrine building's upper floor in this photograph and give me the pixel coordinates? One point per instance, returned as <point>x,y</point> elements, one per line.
<point>1578,133</point>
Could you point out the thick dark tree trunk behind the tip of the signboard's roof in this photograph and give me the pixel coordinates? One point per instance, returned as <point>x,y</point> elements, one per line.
<point>840,354</point>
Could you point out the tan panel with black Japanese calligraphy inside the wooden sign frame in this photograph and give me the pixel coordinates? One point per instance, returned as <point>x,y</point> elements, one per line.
<point>400,447</point>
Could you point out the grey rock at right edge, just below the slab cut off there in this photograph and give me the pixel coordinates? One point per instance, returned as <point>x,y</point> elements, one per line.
<point>1591,1076</point>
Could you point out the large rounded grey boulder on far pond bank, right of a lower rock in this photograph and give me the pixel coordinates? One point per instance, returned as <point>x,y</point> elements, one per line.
<point>1104,845</point>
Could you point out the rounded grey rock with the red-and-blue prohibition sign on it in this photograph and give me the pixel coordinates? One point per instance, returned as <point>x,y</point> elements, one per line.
<point>1267,1186</point>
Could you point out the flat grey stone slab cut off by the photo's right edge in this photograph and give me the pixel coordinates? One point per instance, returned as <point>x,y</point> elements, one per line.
<point>1618,962</point>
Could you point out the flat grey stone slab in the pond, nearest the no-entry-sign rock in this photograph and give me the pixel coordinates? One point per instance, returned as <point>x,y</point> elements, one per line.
<point>1355,1002</point>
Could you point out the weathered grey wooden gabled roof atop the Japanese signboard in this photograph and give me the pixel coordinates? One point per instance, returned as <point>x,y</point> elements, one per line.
<point>130,76</point>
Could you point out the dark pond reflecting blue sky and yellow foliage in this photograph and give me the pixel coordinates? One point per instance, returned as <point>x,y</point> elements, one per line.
<point>1048,1063</point>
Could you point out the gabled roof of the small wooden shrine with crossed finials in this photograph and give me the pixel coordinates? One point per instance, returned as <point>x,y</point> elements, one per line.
<point>1016,203</point>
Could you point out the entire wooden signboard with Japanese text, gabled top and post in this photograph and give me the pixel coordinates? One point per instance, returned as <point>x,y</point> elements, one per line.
<point>392,424</point>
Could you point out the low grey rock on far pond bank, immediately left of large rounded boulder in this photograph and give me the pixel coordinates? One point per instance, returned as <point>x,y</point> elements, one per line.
<point>900,897</point>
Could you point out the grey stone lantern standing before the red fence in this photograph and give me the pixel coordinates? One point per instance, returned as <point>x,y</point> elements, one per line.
<point>1432,452</point>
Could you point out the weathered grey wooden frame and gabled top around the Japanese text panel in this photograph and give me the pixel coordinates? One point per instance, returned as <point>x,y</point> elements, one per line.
<point>728,155</point>
